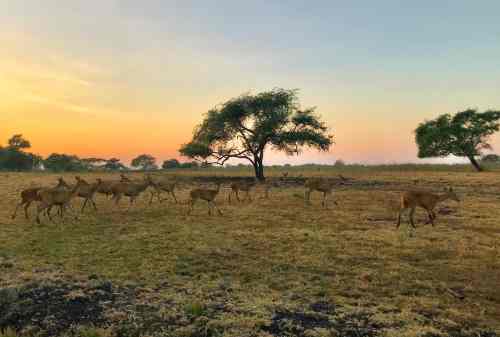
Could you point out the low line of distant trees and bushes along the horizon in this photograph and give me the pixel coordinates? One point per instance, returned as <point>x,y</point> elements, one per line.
<point>15,157</point>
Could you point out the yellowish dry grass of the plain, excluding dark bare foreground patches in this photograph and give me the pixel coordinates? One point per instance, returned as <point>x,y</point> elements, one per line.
<point>278,254</point>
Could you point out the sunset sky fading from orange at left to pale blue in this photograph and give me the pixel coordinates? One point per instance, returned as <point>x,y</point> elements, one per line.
<point>120,78</point>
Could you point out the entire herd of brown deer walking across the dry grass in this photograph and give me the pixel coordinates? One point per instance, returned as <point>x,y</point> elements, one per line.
<point>62,194</point>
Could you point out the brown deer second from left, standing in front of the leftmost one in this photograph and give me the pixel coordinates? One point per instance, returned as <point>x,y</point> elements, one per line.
<point>57,196</point>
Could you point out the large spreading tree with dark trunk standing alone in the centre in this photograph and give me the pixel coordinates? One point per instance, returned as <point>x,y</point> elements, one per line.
<point>245,126</point>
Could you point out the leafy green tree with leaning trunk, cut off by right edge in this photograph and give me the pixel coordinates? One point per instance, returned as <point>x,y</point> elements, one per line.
<point>464,134</point>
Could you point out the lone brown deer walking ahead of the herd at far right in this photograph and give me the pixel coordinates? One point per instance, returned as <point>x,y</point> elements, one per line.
<point>426,200</point>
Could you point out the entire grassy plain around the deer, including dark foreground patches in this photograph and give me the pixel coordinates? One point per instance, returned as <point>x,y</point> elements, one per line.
<point>270,267</point>
